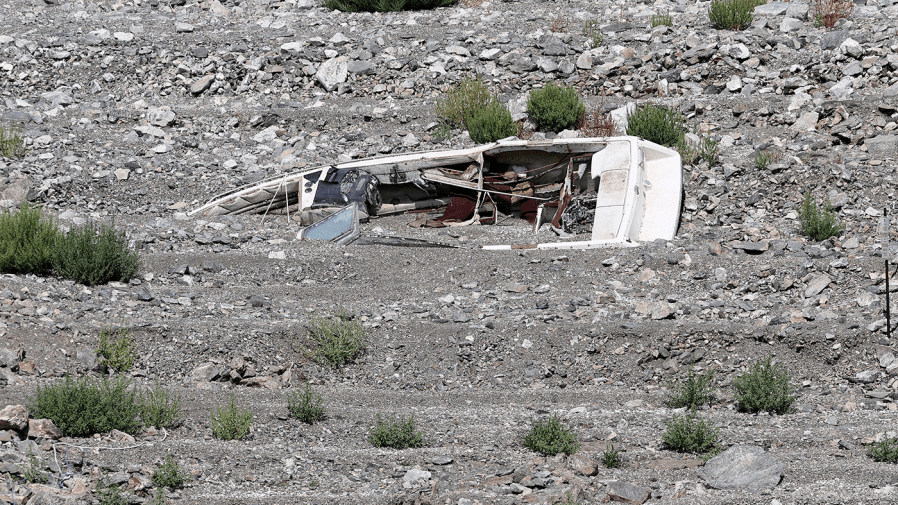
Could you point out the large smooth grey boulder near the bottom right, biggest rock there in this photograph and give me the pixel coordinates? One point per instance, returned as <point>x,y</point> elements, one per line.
<point>744,467</point>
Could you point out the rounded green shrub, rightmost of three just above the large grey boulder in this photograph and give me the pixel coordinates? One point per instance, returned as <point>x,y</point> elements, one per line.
<point>765,387</point>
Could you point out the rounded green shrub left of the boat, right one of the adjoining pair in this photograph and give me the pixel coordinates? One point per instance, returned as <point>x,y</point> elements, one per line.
<point>92,254</point>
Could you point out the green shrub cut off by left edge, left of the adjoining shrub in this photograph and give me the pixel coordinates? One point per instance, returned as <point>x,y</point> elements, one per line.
<point>26,241</point>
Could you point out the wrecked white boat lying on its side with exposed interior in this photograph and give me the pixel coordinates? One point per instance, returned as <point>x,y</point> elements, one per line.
<point>614,190</point>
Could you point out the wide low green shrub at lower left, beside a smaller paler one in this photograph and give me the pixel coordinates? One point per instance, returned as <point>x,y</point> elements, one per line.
<point>87,406</point>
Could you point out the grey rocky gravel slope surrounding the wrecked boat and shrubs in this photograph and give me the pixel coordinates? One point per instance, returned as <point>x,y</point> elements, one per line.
<point>142,111</point>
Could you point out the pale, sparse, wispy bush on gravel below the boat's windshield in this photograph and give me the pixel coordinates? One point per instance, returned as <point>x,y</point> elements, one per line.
<point>335,341</point>
